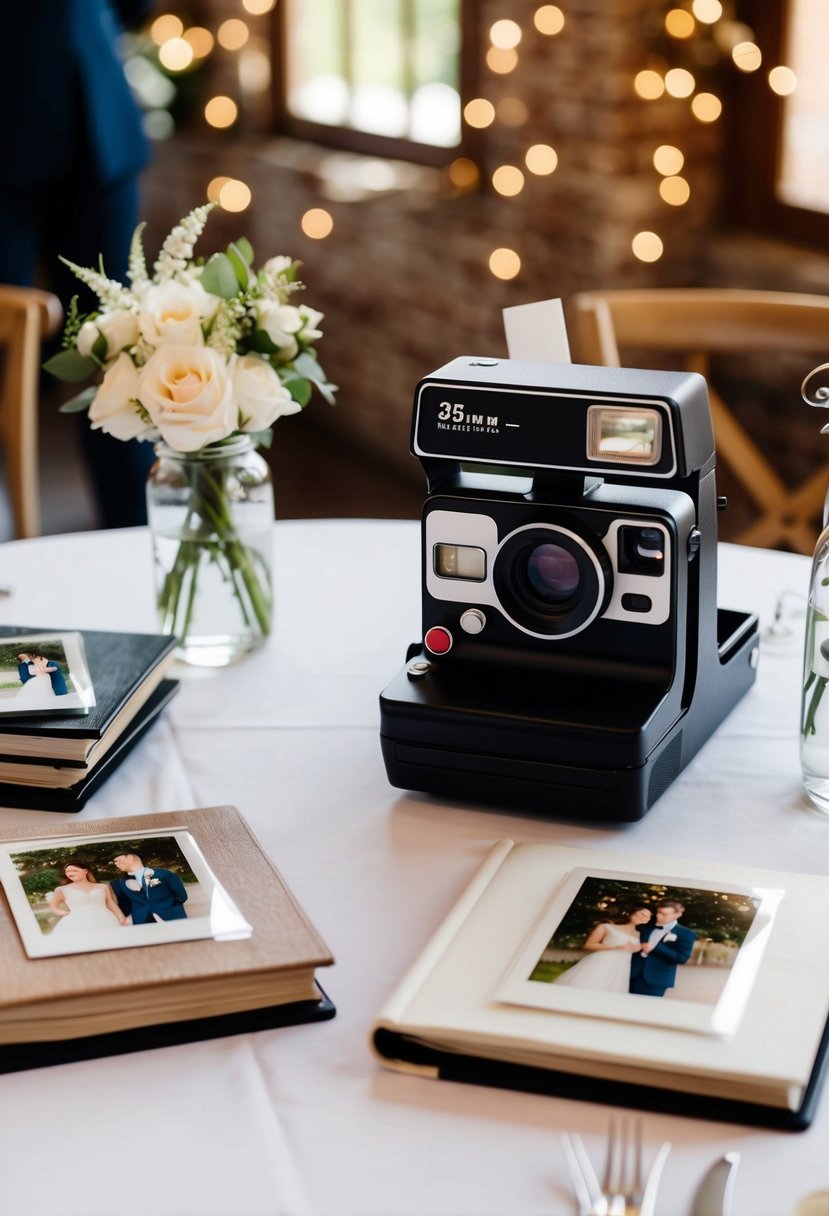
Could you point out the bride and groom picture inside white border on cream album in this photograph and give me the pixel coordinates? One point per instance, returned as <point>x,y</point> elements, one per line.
<point>647,939</point>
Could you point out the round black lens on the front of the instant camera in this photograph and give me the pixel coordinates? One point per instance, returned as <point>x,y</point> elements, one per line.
<point>552,581</point>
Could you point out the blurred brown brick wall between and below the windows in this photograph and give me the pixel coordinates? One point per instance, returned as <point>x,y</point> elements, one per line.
<point>404,278</point>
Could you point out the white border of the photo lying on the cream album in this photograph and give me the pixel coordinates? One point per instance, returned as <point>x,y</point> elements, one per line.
<point>721,1018</point>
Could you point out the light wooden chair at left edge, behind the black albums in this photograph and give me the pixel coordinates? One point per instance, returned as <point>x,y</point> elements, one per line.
<point>26,317</point>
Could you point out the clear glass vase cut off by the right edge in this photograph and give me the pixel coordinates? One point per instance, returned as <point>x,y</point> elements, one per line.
<point>815,701</point>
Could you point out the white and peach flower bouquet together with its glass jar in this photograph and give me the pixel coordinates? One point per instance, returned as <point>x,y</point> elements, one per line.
<point>202,358</point>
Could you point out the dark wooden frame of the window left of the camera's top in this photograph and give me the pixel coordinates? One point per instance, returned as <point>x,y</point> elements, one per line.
<point>366,143</point>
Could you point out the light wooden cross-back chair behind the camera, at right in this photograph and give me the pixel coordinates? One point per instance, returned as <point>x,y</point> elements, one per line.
<point>700,323</point>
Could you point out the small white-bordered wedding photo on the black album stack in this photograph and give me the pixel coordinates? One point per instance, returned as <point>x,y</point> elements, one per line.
<point>44,675</point>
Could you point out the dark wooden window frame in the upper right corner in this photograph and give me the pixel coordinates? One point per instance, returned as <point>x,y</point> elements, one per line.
<point>754,136</point>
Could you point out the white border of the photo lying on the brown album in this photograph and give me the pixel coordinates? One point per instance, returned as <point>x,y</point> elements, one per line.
<point>224,922</point>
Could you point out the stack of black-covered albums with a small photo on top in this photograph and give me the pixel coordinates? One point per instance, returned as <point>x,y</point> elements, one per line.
<point>72,707</point>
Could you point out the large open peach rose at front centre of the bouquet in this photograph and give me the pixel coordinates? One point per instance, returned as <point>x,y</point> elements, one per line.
<point>189,396</point>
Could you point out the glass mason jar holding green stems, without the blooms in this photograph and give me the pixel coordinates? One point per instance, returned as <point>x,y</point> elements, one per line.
<point>212,515</point>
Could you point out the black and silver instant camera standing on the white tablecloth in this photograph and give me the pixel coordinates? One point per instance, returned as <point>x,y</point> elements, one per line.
<point>574,657</point>
